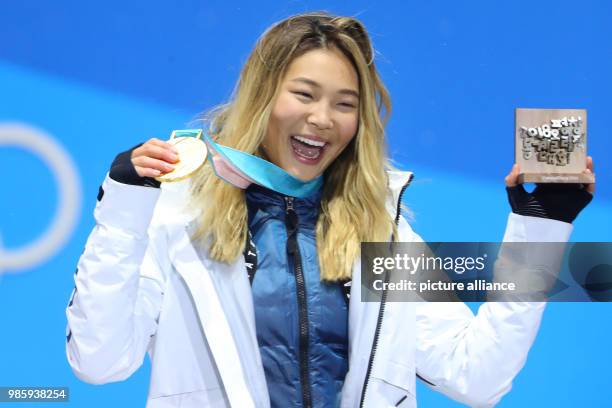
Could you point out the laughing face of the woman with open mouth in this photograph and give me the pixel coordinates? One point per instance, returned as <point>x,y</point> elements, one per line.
<point>315,115</point>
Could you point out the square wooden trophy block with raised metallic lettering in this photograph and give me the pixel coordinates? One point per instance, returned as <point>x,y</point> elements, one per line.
<point>550,145</point>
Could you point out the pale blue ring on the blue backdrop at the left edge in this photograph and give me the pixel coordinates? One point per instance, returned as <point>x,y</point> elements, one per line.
<point>45,147</point>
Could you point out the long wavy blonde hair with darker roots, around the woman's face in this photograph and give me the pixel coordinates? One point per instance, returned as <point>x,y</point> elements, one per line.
<point>355,188</point>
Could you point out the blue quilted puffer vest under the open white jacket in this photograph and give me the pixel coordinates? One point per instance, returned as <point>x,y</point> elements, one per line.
<point>302,323</point>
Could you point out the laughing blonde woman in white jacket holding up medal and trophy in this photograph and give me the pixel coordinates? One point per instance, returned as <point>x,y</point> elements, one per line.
<point>240,298</point>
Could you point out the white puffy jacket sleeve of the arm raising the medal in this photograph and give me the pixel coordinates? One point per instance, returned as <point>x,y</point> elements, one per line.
<point>119,287</point>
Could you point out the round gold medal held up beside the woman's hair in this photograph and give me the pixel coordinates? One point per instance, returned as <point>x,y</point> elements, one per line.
<point>192,153</point>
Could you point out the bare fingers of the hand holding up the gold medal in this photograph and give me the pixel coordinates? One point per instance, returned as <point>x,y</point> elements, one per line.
<point>154,158</point>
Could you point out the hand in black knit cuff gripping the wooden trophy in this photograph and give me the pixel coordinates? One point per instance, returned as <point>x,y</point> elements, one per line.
<point>559,201</point>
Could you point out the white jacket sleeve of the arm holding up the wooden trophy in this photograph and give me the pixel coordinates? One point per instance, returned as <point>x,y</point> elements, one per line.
<point>473,359</point>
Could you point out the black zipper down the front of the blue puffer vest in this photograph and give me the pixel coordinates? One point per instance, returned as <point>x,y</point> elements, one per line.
<point>293,250</point>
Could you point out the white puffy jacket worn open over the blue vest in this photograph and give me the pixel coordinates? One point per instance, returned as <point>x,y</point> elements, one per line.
<point>143,287</point>
